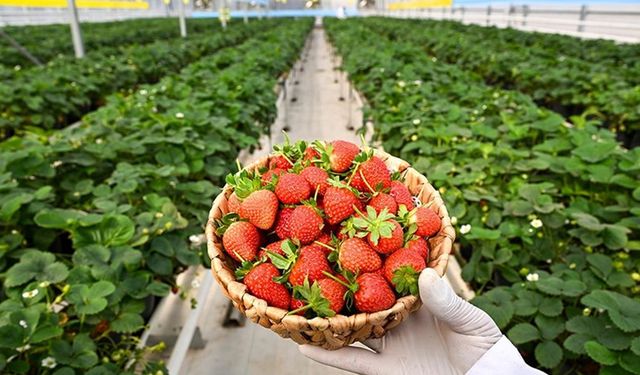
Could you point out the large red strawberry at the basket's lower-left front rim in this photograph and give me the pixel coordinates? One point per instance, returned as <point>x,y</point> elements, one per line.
<point>260,283</point>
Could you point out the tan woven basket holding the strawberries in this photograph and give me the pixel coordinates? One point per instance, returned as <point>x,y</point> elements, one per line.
<point>340,330</point>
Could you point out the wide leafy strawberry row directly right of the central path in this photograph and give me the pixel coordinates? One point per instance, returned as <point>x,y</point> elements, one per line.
<point>547,212</point>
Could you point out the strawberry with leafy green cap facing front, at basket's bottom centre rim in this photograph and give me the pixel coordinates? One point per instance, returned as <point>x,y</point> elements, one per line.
<point>325,297</point>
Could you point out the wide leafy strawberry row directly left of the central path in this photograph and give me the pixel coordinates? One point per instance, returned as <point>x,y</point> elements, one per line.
<point>98,219</point>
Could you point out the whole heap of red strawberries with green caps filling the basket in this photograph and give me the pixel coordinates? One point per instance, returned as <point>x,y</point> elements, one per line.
<point>326,229</point>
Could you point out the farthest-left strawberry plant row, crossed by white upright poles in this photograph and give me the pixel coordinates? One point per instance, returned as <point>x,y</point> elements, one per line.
<point>47,42</point>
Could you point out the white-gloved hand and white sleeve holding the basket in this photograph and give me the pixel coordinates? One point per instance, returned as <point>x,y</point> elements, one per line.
<point>446,336</point>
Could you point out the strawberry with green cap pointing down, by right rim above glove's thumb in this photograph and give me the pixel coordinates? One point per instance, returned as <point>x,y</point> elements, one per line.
<point>402,270</point>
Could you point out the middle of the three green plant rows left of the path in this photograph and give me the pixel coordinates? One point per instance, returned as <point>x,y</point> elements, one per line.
<point>59,93</point>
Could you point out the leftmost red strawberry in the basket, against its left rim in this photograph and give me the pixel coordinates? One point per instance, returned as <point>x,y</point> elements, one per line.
<point>241,240</point>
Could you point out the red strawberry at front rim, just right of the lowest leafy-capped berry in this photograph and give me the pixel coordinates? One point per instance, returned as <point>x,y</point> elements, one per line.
<point>373,294</point>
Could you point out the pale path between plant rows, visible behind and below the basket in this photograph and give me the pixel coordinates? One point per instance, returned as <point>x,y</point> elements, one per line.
<point>310,108</point>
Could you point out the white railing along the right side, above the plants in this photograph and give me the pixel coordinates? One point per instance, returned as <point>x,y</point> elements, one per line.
<point>621,24</point>
